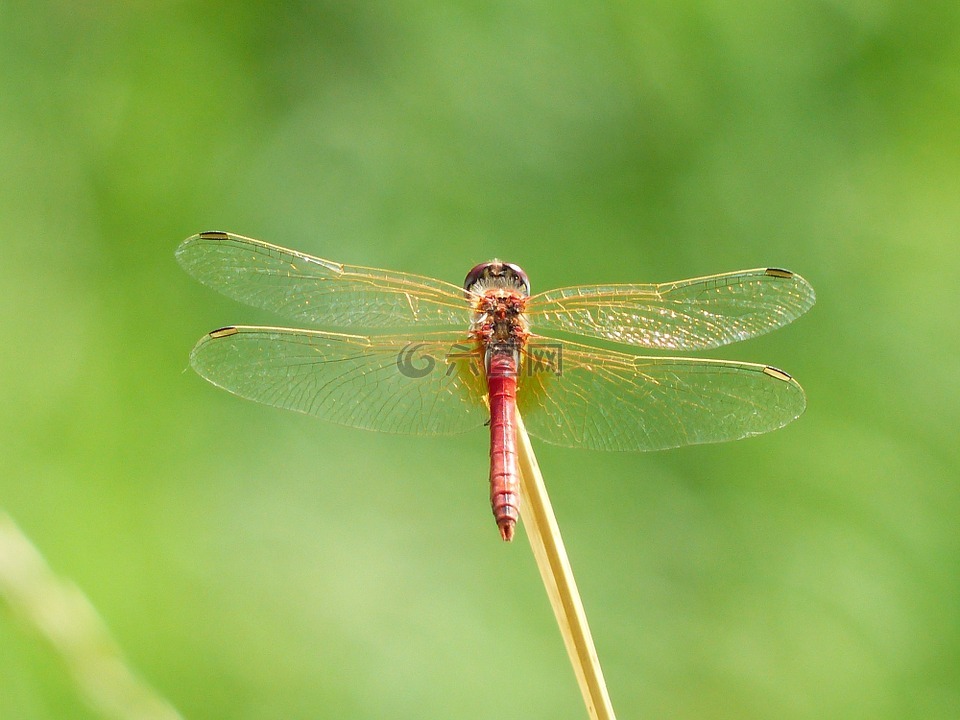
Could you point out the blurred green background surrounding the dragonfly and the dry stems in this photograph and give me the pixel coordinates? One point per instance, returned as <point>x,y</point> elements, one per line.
<point>260,564</point>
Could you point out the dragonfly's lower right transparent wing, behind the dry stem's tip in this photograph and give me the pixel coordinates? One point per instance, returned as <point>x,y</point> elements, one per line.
<point>579,396</point>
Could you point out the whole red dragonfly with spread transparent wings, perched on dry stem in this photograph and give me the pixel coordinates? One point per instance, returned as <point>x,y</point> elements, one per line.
<point>404,353</point>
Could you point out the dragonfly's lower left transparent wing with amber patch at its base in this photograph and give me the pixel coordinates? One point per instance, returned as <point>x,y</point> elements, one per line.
<point>424,385</point>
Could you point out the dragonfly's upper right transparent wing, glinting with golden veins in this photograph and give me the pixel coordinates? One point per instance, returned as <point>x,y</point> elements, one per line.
<point>685,315</point>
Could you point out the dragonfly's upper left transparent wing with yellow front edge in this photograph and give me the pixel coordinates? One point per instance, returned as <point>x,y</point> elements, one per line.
<point>313,290</point>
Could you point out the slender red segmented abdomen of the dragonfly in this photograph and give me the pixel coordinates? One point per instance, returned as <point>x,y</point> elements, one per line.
<point>504,478</point>
